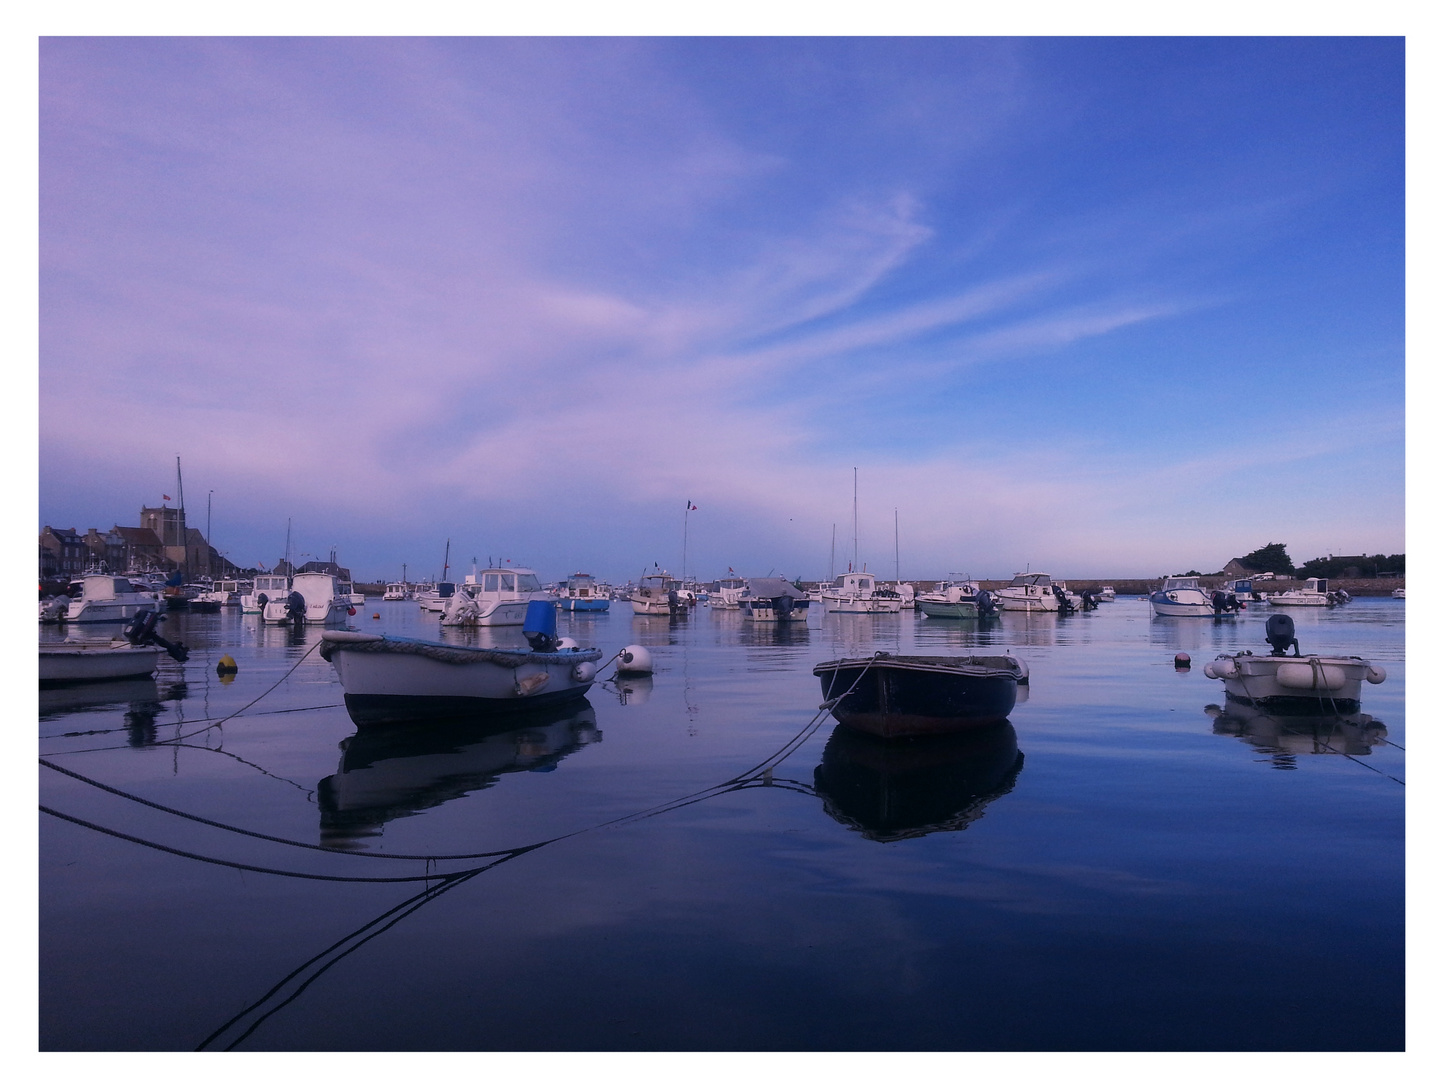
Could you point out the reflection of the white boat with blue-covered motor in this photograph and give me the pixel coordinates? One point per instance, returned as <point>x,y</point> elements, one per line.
<point>394,773</point>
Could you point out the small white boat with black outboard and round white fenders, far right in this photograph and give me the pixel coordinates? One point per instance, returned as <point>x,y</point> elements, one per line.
<point>1281,683</point>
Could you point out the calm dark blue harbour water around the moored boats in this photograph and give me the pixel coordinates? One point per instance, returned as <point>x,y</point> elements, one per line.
<point>1127,866</point>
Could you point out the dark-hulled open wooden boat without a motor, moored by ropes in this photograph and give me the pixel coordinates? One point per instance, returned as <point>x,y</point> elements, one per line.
<point>894,696</point>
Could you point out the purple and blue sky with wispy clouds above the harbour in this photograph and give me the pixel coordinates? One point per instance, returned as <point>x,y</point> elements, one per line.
<point>1088,306</point>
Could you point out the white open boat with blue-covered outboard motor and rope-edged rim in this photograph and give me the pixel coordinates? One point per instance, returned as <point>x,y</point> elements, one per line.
<point>395,679</point>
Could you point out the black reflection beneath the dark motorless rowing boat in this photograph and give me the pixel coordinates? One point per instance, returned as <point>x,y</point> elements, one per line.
<point>891,791</point>
